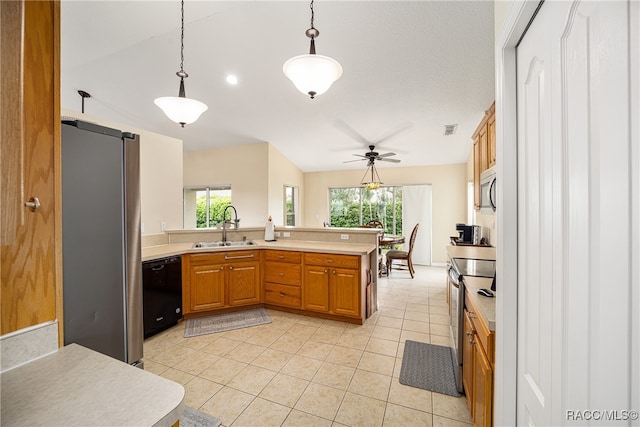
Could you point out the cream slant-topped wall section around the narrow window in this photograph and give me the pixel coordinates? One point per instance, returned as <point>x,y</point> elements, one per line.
<point>282,172</point>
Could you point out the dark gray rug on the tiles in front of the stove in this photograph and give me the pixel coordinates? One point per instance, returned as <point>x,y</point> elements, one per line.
<point>428,366</point>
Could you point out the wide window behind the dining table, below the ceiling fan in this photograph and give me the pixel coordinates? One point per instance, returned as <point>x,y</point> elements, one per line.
<point>354,206</point>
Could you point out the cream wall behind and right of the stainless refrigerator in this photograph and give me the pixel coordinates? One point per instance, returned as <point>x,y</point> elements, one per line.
<point>160,175</point>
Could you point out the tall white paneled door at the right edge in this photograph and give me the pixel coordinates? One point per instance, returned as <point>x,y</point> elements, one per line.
<point>577,210</point>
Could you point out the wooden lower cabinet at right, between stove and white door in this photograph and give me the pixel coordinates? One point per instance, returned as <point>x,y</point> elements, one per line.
<point>477,368</point>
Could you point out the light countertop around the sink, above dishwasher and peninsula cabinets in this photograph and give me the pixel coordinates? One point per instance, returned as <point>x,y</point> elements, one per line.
<point>161,251</point>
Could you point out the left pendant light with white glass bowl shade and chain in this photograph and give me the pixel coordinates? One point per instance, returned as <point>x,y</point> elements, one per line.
<point>181,109</point>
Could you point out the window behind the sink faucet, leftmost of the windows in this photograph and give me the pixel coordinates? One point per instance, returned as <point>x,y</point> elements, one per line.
<point>204,206</point>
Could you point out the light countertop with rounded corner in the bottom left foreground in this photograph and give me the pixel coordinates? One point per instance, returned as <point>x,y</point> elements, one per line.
<point>76,386</point>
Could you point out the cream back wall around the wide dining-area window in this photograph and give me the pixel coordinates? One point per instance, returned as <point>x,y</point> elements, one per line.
<point>449,195</point>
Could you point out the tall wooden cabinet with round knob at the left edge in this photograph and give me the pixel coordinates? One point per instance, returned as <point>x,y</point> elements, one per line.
<point>30,240</point>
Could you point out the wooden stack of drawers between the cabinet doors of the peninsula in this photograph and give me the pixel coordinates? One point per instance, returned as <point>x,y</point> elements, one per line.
<point>283,278</point>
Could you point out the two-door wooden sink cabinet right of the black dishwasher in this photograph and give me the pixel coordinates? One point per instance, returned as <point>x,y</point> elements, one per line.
<point>212,281</point>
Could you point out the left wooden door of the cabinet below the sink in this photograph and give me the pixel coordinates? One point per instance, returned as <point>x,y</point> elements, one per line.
<point>207,287</point>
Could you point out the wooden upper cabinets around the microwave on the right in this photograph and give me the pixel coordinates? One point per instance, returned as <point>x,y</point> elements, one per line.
<point>484,149</point>
